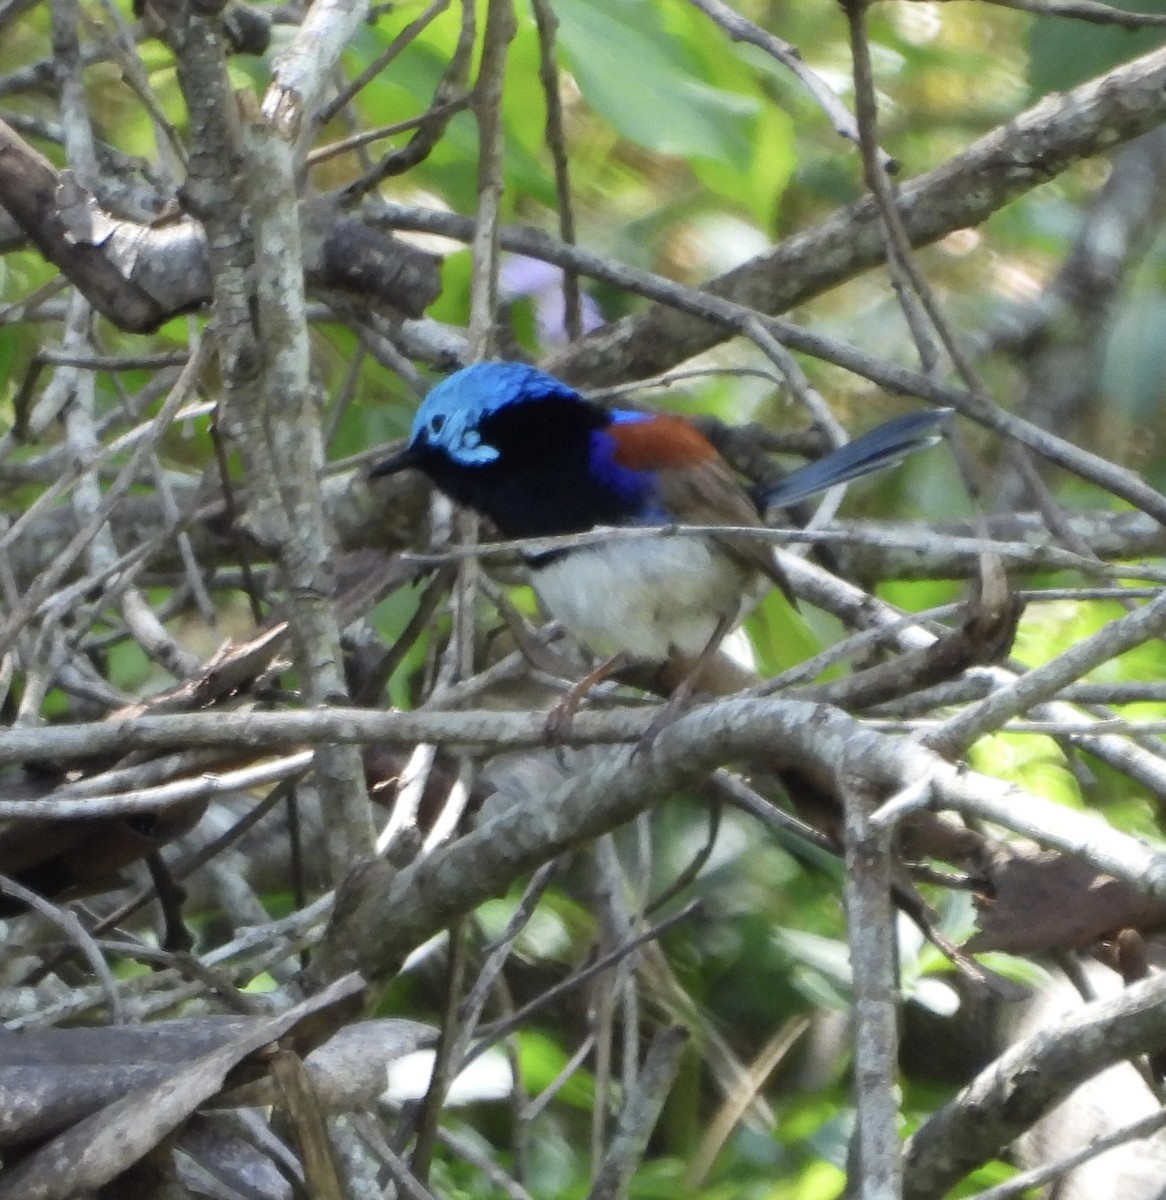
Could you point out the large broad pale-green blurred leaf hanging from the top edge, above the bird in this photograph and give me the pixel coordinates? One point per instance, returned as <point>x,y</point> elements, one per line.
<point>646,85</point>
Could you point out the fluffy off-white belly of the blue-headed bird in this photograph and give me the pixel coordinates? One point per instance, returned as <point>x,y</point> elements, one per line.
<point>646,599</point>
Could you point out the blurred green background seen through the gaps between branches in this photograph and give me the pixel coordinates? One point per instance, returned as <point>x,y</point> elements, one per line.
<point>689,155</point>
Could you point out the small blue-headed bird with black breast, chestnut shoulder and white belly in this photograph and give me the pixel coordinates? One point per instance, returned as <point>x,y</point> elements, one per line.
<point>540,460</point>
